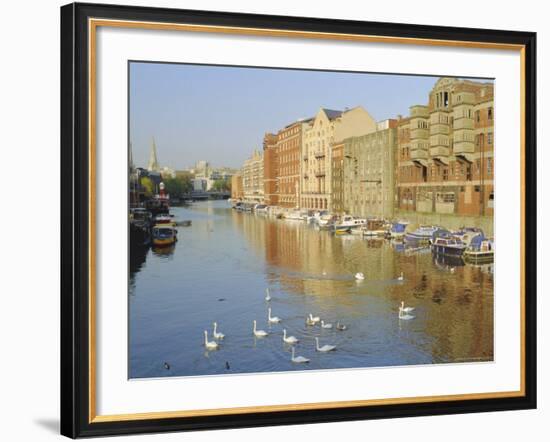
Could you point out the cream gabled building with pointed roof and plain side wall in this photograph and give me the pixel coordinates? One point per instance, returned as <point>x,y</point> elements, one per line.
<point>327,128</point>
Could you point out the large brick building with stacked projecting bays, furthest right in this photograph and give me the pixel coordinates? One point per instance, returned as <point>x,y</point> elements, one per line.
<point>445,155</point>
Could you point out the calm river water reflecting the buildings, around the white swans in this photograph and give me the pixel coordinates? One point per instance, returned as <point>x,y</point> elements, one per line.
<point>221,265</point>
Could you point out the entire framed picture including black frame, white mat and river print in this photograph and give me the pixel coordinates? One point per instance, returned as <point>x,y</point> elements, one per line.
<point>274,220</point>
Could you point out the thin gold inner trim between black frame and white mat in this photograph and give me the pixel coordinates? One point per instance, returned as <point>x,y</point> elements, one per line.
<point>93,24</point>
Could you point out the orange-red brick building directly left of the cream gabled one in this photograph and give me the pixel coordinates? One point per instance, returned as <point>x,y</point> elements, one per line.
<point>289,145</point>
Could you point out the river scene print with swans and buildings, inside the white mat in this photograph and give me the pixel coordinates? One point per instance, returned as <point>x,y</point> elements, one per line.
<point>287,219</point>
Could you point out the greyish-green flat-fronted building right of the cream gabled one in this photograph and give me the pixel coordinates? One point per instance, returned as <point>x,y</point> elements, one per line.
<point>368,172</point>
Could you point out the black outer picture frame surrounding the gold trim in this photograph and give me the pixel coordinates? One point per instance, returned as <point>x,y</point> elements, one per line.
<point>75,220</point>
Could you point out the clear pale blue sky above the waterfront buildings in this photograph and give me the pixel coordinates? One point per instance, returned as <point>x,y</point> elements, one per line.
<point>220,114</point>
